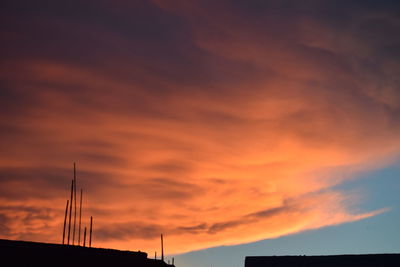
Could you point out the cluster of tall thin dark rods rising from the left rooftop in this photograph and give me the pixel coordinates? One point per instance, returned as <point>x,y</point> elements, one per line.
<point>68,215</point>
